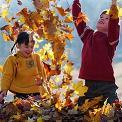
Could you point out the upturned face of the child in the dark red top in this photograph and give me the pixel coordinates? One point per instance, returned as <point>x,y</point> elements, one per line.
<point>102,24</point>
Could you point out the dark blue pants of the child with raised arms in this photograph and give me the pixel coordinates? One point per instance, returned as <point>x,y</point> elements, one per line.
<point>97,88</point>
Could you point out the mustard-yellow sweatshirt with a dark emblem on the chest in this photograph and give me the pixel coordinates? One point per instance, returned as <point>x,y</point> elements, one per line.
<point>19,73</point>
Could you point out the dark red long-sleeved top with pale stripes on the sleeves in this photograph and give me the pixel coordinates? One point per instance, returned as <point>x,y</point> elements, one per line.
<point>98,48</point>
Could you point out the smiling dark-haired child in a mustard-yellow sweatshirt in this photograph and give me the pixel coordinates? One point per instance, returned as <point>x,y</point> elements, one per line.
<point>23,72</point>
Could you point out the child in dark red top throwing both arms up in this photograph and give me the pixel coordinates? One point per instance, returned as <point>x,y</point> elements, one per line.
<point>98,50</point>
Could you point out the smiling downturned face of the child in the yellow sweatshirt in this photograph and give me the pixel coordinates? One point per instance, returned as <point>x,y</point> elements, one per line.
<point>26,50</point>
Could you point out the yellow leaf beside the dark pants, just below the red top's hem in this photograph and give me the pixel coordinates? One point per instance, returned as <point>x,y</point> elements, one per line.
<point>79,88</point>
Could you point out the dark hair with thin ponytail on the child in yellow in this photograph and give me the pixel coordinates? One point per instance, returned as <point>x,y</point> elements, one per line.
<point>23,37</point>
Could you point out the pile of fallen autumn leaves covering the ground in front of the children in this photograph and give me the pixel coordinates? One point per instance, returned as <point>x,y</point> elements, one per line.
<point>34,109</point>
